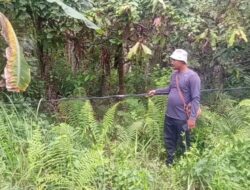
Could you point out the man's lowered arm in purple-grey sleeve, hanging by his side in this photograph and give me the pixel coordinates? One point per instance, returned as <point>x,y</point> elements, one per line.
<point>195,85</point>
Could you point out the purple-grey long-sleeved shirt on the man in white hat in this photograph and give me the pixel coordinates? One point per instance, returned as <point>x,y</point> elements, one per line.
<point>189,83</point>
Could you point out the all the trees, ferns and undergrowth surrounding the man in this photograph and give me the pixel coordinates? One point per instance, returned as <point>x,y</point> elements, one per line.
<point>79,48</point>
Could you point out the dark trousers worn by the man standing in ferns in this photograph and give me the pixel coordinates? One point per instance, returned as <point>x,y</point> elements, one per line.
<point>176,134</point>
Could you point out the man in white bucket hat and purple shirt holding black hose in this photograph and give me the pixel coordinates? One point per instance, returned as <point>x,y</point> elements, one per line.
<point>184,86</point>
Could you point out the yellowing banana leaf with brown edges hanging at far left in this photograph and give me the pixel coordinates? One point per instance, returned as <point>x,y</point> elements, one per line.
<point>16,75</point>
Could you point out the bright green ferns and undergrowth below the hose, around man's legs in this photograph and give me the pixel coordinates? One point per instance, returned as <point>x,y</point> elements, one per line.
<point>124,150</point>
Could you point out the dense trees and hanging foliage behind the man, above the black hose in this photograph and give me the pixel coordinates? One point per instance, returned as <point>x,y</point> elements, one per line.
<point>118,53</point>
